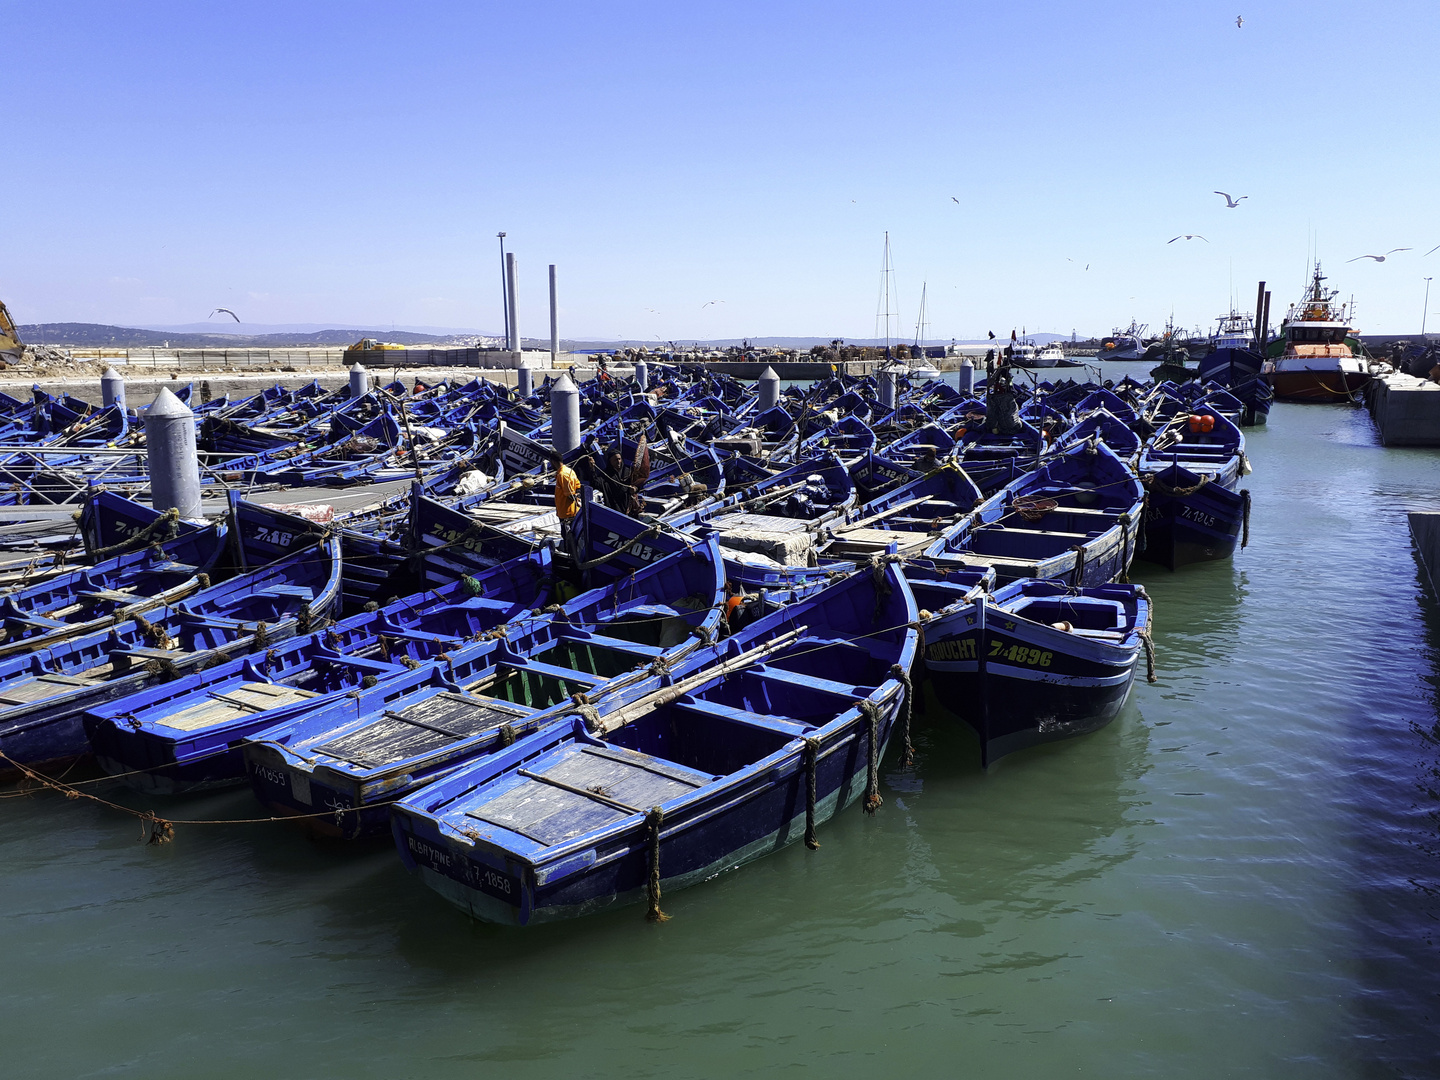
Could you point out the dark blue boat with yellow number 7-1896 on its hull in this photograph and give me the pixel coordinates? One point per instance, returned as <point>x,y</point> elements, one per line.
<point>1036,662</point>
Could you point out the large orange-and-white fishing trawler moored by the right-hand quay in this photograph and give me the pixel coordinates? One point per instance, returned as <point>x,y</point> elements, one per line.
<point>1317,358</point>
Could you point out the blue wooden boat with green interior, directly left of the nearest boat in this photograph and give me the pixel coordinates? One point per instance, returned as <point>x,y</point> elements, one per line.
<point>355,758</point>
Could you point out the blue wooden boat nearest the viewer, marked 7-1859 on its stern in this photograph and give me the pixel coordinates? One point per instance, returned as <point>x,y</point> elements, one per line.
<point>770,739</point>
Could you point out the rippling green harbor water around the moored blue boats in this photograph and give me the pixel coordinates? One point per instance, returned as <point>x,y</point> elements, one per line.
<point>1238,878</point>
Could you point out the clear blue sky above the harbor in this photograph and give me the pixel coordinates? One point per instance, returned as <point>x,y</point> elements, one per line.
<point>352,162</point>
